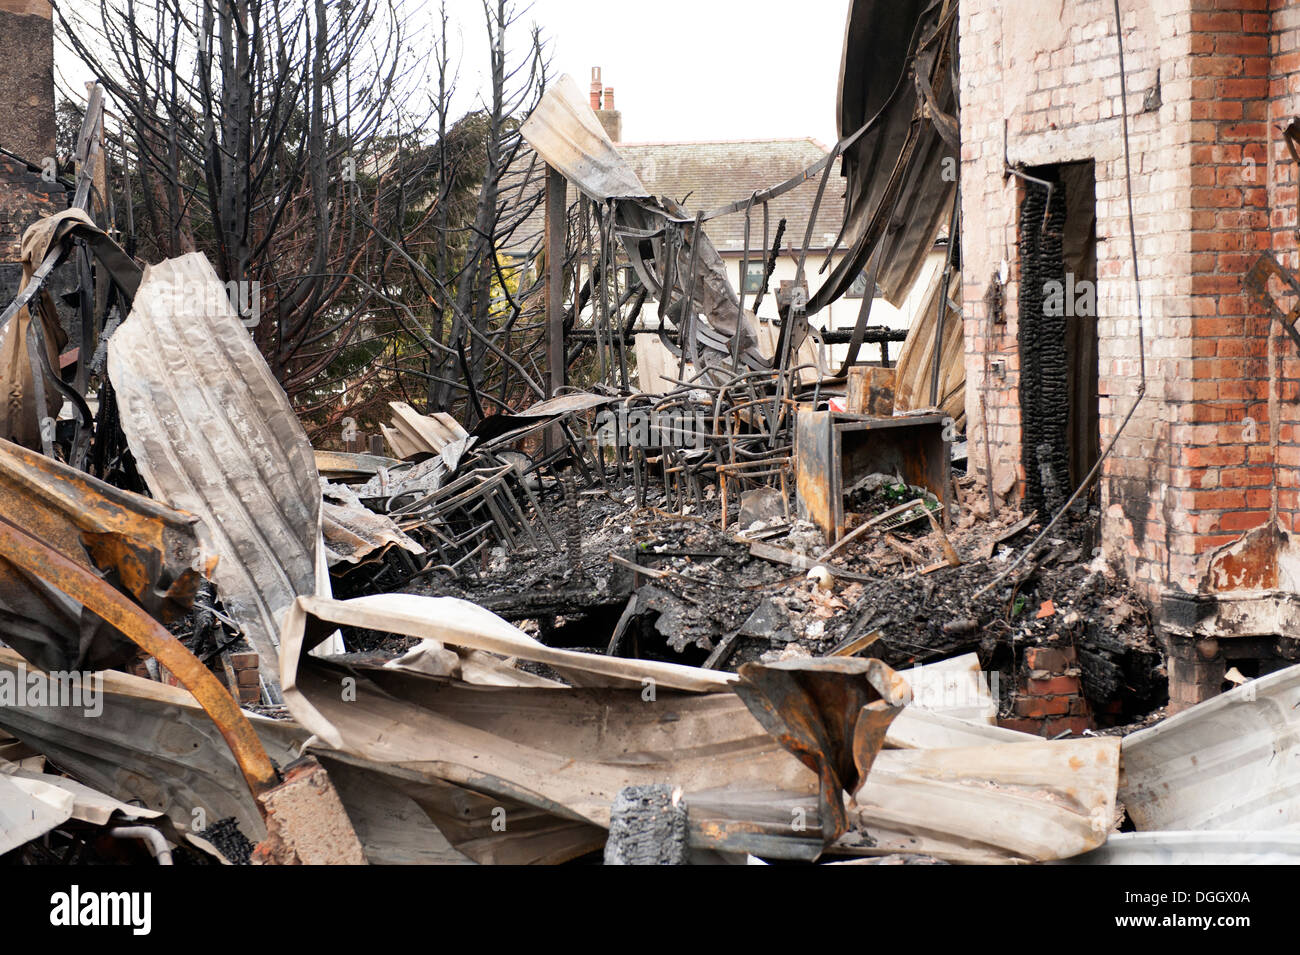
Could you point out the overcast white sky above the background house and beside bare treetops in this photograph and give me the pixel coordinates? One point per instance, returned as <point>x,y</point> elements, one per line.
<point>692,70</point>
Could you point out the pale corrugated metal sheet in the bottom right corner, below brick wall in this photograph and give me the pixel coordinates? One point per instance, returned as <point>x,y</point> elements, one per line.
<point>1229,763</point>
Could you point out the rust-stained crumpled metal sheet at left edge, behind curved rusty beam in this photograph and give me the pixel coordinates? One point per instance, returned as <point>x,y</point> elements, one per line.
<point>141,546</point>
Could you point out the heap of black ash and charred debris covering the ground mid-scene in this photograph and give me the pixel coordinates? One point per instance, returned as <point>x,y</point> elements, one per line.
<point>699,587</point>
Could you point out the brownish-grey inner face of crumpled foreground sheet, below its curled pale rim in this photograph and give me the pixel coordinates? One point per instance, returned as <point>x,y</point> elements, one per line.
<point>569,753</point>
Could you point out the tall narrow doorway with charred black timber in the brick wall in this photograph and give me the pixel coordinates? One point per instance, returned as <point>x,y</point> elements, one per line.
<point>1058,332</point>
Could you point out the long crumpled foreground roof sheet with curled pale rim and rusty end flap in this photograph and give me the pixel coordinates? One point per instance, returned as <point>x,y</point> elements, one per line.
<point>567,752</point>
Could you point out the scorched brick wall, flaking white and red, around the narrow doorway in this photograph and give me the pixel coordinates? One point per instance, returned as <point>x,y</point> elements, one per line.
<point>1198,465</point>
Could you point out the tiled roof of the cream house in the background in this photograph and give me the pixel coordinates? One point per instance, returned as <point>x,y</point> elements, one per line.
<point>705,176</point>
